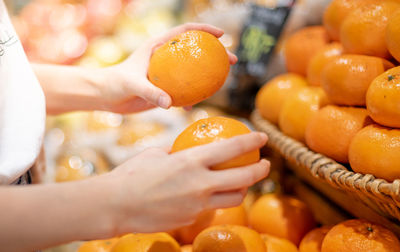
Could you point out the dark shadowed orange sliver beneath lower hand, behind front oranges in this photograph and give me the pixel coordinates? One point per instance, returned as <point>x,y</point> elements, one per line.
<point>187,234</point>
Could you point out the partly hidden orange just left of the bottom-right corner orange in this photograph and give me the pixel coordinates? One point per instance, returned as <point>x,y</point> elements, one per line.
<point>312,242</point>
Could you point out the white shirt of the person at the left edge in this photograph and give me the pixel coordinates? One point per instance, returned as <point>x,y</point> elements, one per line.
<point>22,106</point>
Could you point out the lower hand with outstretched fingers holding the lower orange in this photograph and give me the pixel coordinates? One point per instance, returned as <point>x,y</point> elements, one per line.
<point>158,191</point>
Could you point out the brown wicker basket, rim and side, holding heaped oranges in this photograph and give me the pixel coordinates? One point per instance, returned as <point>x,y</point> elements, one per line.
<point>378,194</point>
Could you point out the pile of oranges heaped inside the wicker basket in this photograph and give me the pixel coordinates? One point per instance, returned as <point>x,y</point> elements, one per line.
<point>355,116</point>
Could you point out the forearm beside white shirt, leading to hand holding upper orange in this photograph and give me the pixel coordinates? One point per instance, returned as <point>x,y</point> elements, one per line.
<point>72,88</point>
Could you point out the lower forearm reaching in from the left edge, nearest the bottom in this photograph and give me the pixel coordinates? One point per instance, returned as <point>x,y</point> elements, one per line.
<point>39,216</point>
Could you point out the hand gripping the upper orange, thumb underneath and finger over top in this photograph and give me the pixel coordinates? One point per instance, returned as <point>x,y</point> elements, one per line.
<point>128,89</point>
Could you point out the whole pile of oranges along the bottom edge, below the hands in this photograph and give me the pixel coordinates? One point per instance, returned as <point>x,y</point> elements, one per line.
<point>277,223</point>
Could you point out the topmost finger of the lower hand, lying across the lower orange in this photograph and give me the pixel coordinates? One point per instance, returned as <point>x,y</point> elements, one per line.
<point>226,149</point>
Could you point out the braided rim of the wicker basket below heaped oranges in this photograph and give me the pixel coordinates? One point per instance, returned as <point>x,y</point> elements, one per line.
<point>327,169</point>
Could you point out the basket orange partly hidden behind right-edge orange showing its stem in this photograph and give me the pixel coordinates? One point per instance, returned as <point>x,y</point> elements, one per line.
<point>346,78</point>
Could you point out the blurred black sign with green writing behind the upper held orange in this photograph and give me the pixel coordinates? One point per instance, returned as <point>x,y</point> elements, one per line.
<point>258,39</point>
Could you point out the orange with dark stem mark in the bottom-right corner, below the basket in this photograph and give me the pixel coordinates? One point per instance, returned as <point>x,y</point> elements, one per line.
<point>360,236</point>
